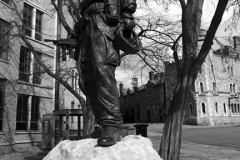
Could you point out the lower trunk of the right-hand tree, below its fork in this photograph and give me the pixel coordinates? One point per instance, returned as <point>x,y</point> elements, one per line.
<point>171,139</point>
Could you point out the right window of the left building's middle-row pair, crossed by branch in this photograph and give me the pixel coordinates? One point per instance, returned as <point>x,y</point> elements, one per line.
<point>37,70</point>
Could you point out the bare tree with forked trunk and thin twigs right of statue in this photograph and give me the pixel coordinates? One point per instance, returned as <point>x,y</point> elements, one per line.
<point>187,57</point>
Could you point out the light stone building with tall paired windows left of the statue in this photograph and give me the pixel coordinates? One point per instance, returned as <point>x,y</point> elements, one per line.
<point>26,91</point>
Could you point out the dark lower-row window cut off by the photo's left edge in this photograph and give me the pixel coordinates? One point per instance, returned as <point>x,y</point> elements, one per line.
<point>2,89</point>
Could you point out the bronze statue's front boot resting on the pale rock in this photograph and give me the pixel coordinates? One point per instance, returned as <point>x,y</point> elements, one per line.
<point>110,135</point>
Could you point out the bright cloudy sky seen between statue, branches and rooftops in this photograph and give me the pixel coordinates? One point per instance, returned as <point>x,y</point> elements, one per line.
<point>124,74</point>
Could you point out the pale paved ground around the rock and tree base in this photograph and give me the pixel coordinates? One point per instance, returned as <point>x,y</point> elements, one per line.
<point>189,151</point>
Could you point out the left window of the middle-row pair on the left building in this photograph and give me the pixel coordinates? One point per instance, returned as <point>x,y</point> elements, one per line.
<point>24,65</point>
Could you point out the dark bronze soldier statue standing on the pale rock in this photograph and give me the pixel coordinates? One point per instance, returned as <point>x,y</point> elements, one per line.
<point>106,27</point>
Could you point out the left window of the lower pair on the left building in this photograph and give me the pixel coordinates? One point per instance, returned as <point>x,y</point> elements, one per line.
<point>22,112</point>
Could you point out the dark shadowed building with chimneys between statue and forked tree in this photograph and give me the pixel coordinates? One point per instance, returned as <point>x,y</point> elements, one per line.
<point>144,104</point>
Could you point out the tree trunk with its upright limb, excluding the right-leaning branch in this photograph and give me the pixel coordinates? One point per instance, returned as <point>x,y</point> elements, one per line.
<point>191,22</point>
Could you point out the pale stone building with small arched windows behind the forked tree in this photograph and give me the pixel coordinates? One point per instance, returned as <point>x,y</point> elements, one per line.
<point>215,99</point>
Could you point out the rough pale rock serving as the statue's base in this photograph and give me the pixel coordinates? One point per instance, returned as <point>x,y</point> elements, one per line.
<point>131,147</point>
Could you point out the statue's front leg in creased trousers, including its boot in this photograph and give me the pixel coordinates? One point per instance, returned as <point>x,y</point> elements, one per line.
<point>104,57</point>
